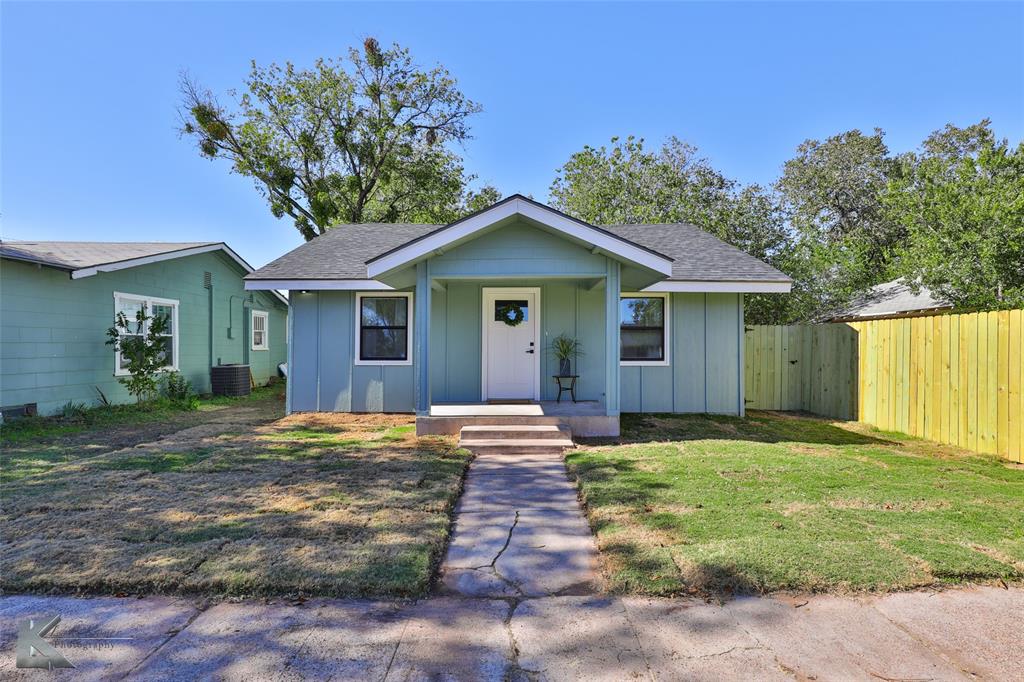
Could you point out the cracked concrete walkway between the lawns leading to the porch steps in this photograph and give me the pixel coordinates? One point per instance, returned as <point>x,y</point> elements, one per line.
<point>520,532</point>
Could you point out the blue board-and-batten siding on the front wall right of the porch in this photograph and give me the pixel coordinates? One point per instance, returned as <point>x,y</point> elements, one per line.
<point>705,371</point>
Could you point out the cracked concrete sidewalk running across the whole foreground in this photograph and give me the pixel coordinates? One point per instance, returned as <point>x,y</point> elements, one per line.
<point>953,635</point>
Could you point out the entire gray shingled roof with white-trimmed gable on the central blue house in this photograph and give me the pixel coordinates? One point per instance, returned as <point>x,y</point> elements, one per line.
<point>342,258</point>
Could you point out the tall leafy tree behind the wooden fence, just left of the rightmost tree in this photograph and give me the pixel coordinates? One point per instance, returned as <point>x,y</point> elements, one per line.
<point>832,192</point>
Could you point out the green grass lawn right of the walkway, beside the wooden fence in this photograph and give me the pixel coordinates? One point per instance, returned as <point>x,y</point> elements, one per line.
<point>717,505</point>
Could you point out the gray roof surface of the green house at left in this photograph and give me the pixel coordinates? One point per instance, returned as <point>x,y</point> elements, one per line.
<point>74,255</point>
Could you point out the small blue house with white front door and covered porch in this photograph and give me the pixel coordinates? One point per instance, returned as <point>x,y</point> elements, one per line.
<point>412,318</point>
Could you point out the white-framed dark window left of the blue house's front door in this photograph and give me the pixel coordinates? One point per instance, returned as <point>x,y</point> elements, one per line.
<point>385,328</point>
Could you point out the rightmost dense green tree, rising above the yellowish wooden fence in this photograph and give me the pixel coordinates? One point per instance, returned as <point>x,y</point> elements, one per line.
<point>961,200</point>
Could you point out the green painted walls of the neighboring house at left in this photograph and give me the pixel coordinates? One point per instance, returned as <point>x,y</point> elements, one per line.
<point>53,328</point>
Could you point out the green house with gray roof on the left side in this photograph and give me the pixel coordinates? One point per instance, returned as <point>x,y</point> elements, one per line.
<point>58,300</point>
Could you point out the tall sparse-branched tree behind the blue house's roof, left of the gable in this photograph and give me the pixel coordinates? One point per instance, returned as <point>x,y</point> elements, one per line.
<point>367,139</point>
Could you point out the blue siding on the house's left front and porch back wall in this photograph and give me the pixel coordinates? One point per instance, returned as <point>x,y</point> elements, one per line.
<point>326,377</point>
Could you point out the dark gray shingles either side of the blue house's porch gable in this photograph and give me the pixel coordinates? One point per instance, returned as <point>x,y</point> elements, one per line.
<point>343,253</point>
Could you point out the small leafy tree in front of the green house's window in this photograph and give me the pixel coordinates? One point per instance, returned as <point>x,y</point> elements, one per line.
<point>142,345</point>
